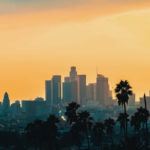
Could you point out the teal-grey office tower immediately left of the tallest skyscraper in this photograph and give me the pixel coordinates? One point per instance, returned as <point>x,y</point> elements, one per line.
<point>67,90</point>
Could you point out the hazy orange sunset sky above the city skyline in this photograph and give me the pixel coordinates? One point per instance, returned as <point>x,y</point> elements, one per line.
<point>39,38</point>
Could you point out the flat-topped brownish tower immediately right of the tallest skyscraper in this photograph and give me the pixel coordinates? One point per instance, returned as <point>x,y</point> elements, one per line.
<point>81,89</point>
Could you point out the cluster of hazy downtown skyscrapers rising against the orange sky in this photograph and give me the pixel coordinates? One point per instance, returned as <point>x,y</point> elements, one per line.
<point>74,87</point>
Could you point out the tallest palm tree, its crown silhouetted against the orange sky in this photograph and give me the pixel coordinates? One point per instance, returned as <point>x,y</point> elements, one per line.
<point>123,92</point>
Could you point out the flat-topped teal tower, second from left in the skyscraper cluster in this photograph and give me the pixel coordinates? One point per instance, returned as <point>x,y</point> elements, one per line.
<point>56,89</point>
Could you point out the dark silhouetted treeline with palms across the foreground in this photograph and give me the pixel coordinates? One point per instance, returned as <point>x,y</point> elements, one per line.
<point>79,131</point>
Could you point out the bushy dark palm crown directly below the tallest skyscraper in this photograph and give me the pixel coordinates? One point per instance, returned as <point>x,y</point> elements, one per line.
<point>71,112</point>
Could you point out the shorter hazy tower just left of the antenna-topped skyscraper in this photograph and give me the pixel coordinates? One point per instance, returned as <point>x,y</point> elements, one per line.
<point>91,92</point>
